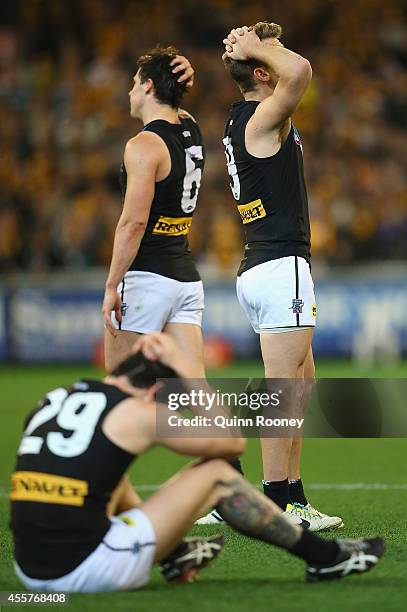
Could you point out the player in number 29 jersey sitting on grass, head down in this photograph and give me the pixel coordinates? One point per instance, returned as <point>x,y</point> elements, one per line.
<point>78,444</point>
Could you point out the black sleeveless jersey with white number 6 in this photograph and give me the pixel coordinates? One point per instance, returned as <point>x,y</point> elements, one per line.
<point>164,247</point>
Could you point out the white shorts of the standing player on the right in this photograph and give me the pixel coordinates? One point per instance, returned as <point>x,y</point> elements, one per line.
<point>278,295</point>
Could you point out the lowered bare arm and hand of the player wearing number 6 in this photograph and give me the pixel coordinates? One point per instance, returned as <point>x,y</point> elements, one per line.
<point>142,158</point>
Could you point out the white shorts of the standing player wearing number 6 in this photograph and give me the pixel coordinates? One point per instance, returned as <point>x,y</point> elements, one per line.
<point>150,301</point>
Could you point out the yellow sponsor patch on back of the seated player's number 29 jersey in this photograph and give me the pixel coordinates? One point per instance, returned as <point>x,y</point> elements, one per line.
<point>48,489</point>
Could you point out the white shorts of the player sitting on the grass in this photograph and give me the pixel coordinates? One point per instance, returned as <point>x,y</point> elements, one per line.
<point>121,562</point>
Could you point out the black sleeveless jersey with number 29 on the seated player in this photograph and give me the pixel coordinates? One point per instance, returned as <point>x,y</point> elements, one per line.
<point>66,471</point>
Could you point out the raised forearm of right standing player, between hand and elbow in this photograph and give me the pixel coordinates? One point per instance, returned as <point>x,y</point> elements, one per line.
<point>285,64</point>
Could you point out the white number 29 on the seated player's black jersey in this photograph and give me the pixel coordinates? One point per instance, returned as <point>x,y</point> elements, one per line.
<point>77,414</point>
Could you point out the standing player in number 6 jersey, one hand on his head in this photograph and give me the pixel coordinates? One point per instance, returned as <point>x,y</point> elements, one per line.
<point>153,284</point>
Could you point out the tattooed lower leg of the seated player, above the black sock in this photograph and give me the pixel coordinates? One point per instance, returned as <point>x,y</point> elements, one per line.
<point>251,513</point>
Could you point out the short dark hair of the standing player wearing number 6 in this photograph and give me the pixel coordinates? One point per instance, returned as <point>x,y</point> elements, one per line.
<point>155,65</point>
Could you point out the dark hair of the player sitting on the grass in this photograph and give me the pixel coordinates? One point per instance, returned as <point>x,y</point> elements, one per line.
<point>142,372</point>
